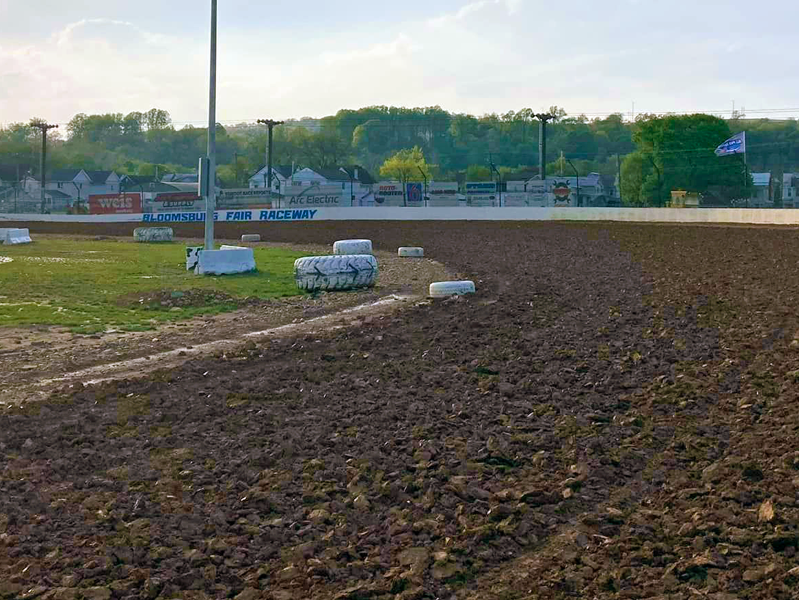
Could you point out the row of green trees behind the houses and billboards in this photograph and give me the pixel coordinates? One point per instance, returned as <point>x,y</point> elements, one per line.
<point>659,153</point>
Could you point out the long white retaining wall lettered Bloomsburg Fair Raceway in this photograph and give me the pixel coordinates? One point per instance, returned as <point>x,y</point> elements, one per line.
<point>750,216</point>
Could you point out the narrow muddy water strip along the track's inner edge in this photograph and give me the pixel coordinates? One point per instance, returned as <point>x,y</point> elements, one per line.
<point>135,366</point>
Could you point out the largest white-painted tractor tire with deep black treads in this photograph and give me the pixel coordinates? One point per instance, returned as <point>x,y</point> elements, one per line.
<point>330,273</point>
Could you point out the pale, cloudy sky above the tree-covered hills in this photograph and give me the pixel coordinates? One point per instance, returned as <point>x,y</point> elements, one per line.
<point>284,59</point>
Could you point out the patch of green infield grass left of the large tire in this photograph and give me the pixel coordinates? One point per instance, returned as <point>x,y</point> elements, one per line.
<point>91,286</point>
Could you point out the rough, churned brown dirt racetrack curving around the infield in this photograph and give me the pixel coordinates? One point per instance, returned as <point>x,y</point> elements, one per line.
<point>613,415</point>
